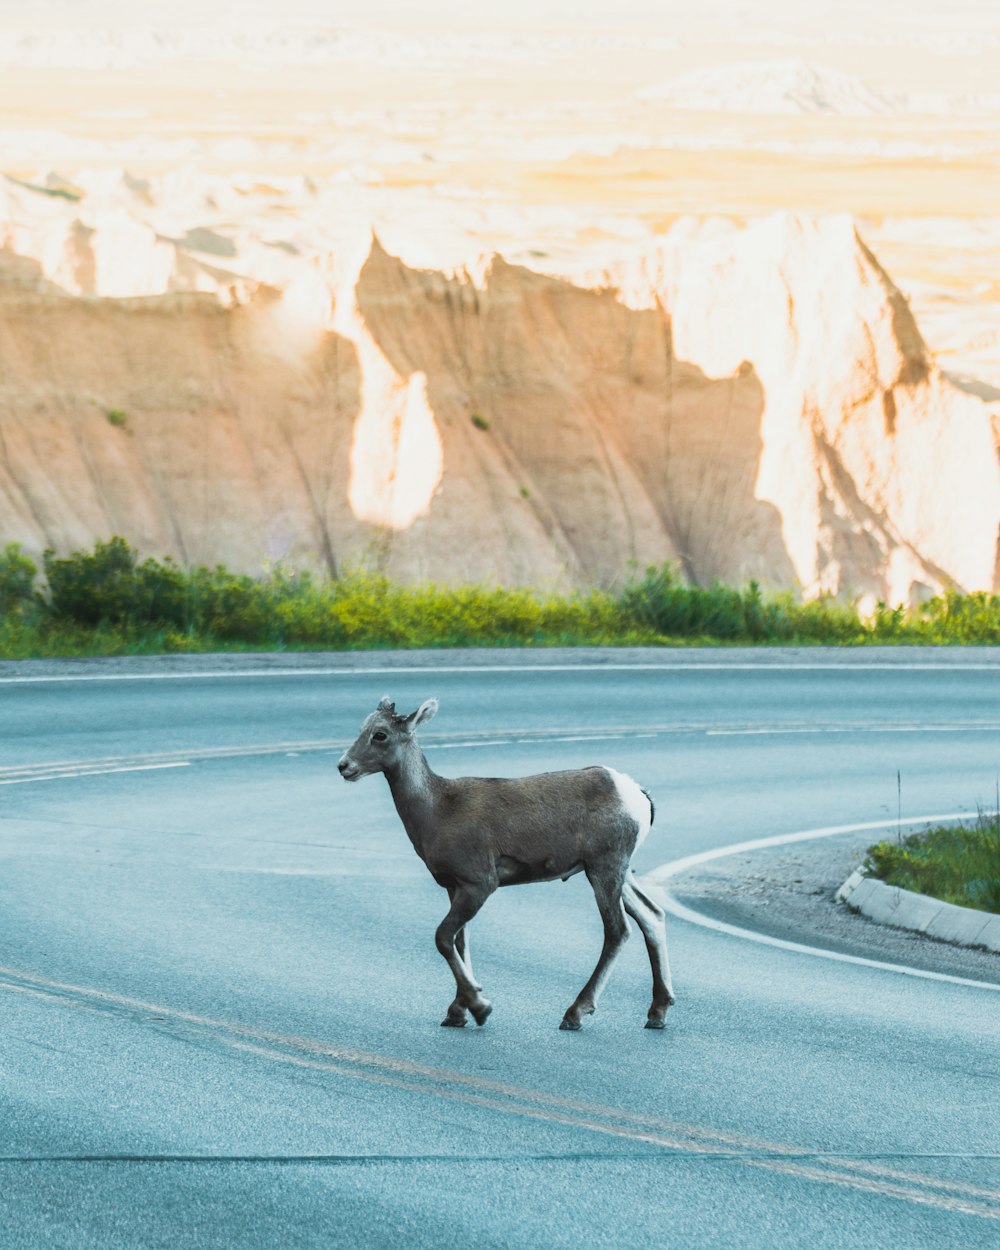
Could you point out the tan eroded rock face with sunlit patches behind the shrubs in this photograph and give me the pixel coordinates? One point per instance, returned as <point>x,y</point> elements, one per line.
<point>748,403</point>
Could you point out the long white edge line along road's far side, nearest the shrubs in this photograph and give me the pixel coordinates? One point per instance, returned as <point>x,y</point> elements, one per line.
<point>432,671</point>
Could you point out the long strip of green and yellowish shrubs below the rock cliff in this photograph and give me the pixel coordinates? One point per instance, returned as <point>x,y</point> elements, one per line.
<point>109,602</point>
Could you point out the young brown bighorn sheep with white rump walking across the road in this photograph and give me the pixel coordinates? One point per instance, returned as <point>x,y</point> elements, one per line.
<point>477,834</point>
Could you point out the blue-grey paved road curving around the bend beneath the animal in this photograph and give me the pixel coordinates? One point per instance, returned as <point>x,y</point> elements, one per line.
<point>221,993</point>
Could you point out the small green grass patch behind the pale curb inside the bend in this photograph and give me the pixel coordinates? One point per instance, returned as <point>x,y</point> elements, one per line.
<point>958,864</point>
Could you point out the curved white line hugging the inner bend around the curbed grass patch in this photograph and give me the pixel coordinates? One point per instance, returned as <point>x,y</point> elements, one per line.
<point>683,913</point>
